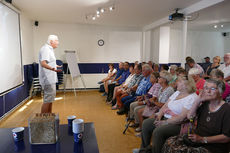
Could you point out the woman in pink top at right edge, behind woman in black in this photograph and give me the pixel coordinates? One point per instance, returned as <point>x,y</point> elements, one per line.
<point>219,75</point>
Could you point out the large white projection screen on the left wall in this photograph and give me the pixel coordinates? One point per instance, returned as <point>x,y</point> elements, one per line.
<point>11,69</point>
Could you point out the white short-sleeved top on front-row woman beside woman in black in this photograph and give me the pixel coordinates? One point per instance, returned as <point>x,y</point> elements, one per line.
<point>176,106</point>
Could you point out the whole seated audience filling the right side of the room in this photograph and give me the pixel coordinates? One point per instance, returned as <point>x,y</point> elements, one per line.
<point>174,109</point>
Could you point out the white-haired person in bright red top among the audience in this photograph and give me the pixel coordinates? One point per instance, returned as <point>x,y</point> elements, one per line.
<point>195,74</point>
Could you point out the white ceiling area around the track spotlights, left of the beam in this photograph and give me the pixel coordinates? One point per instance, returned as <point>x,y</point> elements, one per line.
<point>130,13</point>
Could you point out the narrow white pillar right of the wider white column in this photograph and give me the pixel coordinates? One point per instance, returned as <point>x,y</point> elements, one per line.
<point>184,43</point>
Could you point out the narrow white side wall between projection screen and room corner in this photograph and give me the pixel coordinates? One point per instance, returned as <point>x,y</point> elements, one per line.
<point>26,40</point>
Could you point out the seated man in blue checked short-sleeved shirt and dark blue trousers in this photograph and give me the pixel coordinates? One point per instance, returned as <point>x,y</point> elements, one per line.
<point>142,89</point>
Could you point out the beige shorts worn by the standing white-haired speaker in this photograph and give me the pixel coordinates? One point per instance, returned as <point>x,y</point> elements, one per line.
<point>49,93</point>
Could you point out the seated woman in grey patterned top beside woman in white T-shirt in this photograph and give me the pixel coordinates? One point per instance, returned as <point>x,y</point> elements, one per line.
<point>156,102</point>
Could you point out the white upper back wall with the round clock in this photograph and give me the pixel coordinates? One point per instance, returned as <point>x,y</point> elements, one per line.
<point>120,43</point>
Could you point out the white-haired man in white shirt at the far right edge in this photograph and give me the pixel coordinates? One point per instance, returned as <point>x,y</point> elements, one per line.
<point>226,67</point>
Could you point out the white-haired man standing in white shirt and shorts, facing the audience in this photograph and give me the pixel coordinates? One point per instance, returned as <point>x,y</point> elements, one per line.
<point>48,72</point>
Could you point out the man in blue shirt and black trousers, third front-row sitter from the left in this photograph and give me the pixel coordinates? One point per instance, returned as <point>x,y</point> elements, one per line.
<point>123,77</point>
